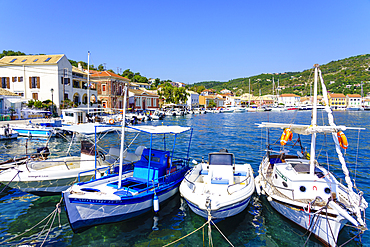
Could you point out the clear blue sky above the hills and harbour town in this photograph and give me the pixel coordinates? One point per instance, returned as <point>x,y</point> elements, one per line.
<point>190,41</point>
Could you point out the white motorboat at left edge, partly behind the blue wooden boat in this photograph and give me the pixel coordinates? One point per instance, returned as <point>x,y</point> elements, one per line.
<point>41,176</point>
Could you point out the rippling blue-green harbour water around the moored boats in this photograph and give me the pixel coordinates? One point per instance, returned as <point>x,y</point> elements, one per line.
<point>258,225</point>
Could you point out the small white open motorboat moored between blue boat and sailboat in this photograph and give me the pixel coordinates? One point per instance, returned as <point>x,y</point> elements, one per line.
<point>218,188</point>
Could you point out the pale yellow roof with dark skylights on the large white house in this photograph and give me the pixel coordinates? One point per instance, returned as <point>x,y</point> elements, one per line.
<point>30,60</point>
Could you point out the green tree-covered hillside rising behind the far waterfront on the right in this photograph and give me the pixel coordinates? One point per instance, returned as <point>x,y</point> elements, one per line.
<point>337,75</point>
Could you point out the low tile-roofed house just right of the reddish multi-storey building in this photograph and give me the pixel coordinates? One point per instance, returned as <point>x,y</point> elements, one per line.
<point>143,100</point>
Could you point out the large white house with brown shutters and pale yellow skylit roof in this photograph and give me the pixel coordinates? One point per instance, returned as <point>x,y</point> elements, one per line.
<point>41,77</point>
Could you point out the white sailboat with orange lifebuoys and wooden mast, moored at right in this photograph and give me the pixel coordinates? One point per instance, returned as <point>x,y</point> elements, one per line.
<point>304,191</point>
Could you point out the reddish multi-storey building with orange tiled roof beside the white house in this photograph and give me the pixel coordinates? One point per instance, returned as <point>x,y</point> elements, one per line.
<point>110,88</point>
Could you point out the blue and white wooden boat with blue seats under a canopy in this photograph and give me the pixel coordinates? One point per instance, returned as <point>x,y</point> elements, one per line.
<point>137,188</point>
